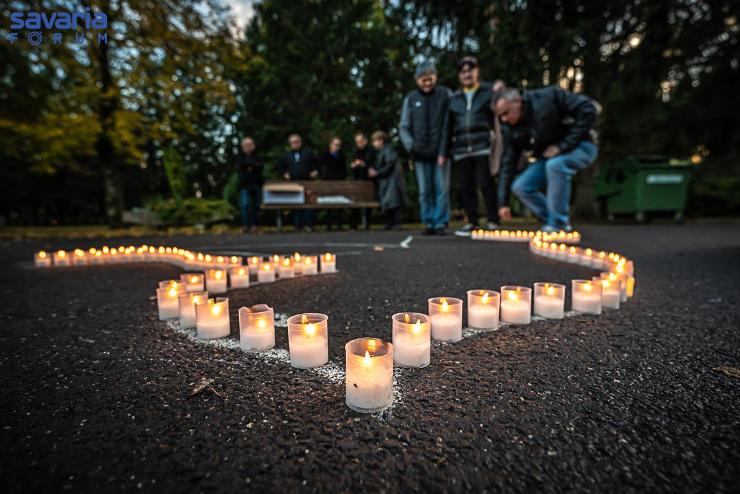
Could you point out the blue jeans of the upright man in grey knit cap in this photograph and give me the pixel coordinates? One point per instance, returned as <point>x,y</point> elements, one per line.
<point>434,193</point>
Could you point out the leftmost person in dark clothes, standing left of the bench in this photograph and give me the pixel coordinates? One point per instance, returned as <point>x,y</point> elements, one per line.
<point>249,173</point>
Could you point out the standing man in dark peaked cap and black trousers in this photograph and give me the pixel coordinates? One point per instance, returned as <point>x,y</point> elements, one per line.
<point>467,139</point>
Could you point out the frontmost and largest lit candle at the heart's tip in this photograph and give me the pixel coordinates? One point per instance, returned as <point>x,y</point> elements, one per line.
<point>369,374</point>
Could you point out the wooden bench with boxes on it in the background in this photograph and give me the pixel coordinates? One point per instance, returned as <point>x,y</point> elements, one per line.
<point>361,193</point>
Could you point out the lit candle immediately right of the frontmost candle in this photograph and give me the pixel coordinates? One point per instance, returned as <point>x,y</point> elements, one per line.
<point>412,334</point>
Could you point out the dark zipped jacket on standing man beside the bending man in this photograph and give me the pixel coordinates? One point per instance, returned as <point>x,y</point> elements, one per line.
<point>468,129</point>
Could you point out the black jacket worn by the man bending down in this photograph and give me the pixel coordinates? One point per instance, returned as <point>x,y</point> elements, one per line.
<point>552,116</point>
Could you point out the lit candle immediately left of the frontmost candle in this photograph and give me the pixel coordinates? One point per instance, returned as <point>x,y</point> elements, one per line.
<point>308,340</point>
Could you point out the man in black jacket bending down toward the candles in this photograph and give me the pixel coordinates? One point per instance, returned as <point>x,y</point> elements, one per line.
<point>556,127</point>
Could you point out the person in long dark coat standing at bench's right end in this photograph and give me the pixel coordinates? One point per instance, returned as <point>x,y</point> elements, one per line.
<point>390,180</point>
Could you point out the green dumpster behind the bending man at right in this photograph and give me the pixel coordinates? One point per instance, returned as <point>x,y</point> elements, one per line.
<point>641,185</point>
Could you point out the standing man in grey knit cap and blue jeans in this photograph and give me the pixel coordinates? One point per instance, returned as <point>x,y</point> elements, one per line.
<point>422,119</point>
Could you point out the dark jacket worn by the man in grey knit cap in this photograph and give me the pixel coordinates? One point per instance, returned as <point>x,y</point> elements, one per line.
<point>422,122</point>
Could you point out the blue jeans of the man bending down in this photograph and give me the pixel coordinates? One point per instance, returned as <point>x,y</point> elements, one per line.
<point>555,175</point>
